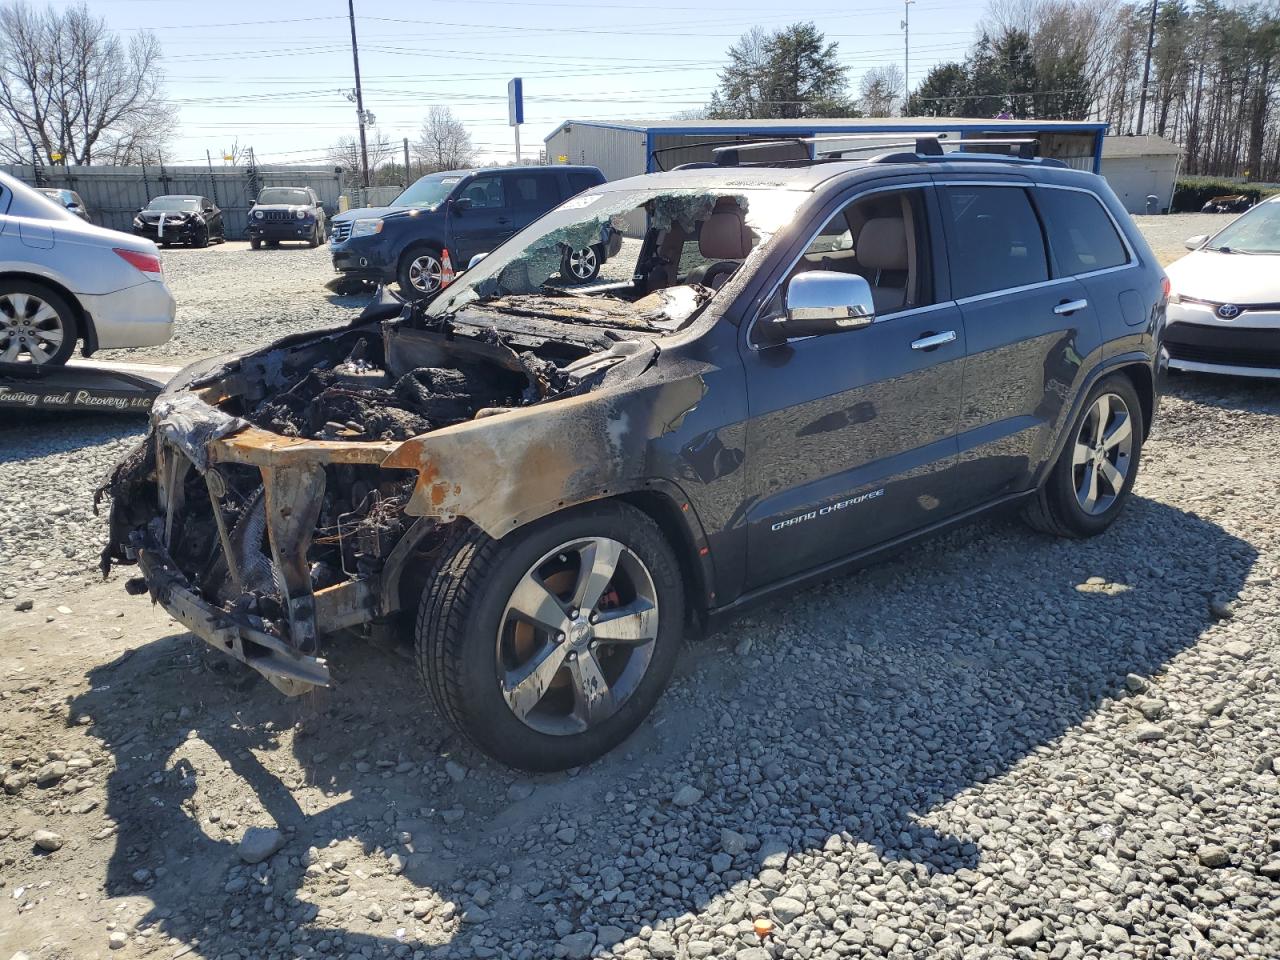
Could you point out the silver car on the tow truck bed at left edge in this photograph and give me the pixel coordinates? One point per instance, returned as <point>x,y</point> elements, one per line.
<point>65,281</point>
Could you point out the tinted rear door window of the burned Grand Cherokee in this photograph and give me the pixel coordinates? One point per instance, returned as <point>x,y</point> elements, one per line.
<point>994,240</point>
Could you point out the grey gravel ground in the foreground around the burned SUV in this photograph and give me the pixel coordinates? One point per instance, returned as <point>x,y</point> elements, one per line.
<point>996,746</point>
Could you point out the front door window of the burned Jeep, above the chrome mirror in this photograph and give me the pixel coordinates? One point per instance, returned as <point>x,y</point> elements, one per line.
<point>883,237</point>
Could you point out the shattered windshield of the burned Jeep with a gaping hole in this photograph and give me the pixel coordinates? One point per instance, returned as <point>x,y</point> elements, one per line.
<point>612,254</point>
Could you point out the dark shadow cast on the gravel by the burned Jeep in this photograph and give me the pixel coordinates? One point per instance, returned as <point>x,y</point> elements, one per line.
<point>857,711</point>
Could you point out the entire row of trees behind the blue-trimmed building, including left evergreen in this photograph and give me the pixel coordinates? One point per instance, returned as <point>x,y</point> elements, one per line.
<point>1212,84</point>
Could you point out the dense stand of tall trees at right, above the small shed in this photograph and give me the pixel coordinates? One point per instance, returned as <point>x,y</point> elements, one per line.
<point>1212,84</point>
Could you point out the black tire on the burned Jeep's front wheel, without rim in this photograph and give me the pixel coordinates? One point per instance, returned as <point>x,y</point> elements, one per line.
<point>461,615</point>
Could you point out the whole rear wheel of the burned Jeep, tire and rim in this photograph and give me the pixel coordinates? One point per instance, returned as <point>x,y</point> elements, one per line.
<point>1094,477</point>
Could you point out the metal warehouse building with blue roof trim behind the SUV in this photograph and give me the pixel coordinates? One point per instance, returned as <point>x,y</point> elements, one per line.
<point>627,149</point>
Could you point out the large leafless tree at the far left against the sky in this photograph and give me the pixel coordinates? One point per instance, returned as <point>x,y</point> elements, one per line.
<point>70,86</point>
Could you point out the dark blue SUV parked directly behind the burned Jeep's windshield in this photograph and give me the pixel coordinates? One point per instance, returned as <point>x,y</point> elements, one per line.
<point>461,212</point>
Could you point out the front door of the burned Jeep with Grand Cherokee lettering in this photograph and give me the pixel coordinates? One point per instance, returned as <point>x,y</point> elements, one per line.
<point>852,435</point>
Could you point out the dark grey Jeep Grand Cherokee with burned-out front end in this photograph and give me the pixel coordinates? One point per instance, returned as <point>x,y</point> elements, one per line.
<point>543,483</point>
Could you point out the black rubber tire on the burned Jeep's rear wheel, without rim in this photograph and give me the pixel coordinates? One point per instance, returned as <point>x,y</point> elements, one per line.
<point>1057,508</point>
